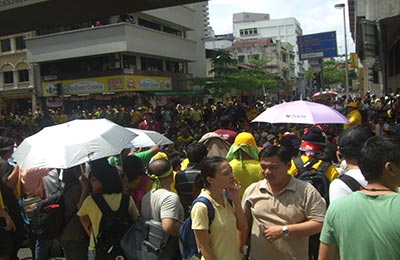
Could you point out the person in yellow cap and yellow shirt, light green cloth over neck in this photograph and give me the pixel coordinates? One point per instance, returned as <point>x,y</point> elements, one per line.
<point>243,158</point>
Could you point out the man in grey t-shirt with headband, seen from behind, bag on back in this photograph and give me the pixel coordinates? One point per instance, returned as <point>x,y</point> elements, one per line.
<point>160,204</point>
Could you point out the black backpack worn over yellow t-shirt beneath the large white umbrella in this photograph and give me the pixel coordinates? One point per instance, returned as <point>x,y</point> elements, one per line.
<point>113,226</point>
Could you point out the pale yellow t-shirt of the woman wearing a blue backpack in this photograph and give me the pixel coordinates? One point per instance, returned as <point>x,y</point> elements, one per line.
<point>222,238</point>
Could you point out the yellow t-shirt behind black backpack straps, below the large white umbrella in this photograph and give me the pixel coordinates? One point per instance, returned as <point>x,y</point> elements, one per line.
<point>89,208</point>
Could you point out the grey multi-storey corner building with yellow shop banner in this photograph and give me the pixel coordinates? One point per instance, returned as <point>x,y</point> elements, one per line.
<point>119,58</point>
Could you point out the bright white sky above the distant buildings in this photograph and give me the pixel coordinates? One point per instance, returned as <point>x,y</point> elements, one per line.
<point>314,16</point>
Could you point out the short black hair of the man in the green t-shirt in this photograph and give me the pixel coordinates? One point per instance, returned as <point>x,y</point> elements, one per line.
<point>376,152</point>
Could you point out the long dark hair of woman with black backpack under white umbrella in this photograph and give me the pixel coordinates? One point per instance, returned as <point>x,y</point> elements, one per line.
<point>108,176</point>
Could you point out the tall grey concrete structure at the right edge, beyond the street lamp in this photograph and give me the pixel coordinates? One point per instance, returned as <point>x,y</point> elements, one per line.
<point>375,28</point>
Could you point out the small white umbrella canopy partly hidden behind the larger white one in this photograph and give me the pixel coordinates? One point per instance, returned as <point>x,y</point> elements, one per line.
<point>148,138</point>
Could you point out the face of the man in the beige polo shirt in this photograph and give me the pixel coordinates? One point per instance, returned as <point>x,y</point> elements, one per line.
<point>274,170</point>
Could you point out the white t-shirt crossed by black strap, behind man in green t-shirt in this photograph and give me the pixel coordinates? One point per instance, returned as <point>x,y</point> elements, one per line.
<point>338,188</point>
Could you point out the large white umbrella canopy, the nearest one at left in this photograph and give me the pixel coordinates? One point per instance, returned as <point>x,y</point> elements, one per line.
<point>72,143</point>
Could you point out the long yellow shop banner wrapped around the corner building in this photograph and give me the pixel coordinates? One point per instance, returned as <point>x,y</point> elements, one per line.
<point>107,85</point>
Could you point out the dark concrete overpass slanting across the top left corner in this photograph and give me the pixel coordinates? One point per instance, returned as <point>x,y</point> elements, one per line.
<point>27,15</point>
